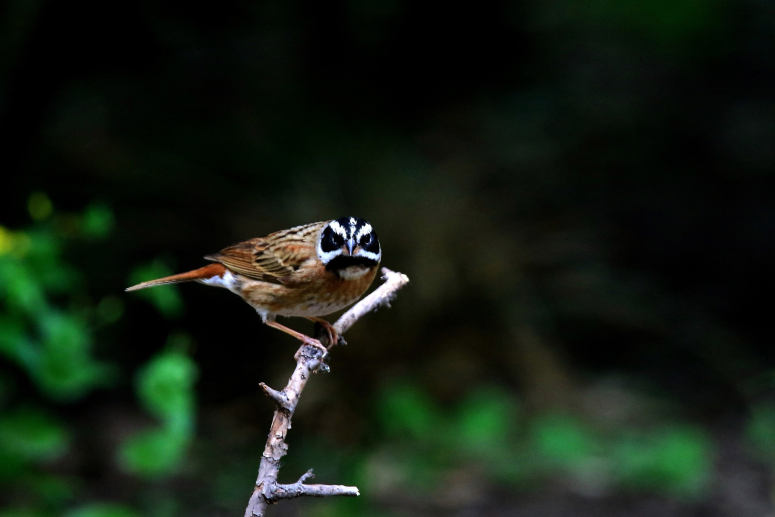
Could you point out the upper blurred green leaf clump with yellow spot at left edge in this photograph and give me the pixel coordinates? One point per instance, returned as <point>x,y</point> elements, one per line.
<point>53,344</point>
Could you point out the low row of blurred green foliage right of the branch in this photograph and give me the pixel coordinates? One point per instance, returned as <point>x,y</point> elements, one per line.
<point>424,442</point>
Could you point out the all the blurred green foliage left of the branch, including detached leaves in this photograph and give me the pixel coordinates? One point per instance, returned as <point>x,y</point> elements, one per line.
<point>48,333</point>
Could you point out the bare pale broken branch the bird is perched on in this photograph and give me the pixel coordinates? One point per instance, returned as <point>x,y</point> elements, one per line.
<point>309,359</point>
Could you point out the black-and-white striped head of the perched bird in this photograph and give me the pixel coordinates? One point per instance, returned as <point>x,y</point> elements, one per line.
<point>351,238</point>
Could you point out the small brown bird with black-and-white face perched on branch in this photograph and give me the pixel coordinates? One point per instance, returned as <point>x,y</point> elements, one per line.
<point>309,271</point>
